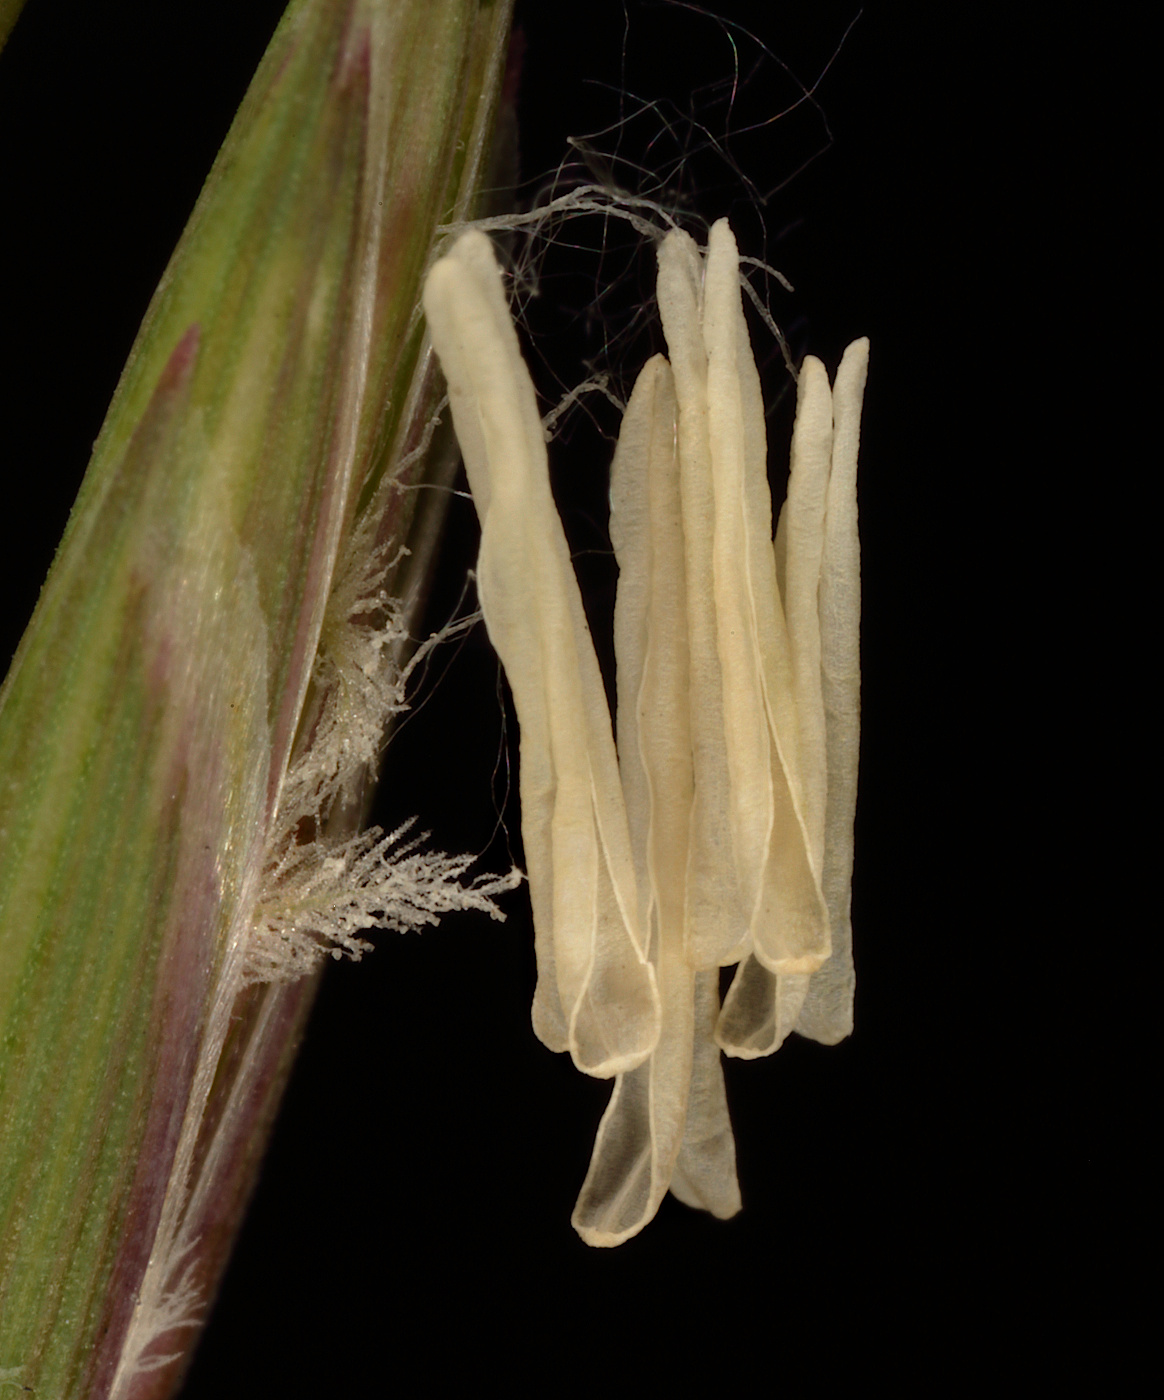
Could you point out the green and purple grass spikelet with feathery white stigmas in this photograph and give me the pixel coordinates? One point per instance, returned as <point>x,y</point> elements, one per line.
<point>190,722</point>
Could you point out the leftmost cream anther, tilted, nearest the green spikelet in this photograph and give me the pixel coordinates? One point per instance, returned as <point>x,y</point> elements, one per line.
<point>597,995</point>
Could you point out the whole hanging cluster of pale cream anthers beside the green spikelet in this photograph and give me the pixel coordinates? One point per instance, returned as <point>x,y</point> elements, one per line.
<point>722,834</point>
